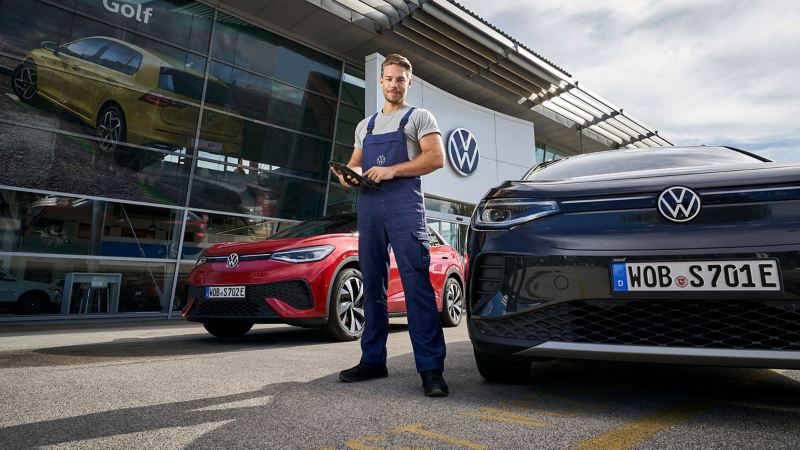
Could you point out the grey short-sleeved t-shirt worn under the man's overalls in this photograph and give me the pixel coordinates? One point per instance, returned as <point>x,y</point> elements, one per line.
<point>419,124</point>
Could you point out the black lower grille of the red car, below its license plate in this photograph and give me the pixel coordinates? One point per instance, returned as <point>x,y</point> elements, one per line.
<point>294,293</point>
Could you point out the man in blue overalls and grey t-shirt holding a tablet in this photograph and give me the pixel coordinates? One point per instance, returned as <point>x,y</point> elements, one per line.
<point>394,148</point>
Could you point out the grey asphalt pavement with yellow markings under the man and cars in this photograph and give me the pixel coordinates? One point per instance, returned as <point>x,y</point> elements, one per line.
<point>171,385</point>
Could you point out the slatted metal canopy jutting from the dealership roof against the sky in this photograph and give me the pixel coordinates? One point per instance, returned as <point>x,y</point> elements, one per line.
<point>452,32</point>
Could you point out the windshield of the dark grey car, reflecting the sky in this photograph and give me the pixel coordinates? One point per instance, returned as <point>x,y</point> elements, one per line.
<point>620,161</point>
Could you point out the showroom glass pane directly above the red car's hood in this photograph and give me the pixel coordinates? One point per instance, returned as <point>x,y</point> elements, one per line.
<point>205,229</point>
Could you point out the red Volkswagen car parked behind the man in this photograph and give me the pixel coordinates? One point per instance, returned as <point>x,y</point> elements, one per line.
<point>307,275</point>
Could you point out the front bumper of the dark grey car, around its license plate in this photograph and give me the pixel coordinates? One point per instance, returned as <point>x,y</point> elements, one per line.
<point>561,306</point>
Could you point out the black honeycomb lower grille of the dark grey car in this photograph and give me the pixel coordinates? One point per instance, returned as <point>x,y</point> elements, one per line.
<point>746,324</point>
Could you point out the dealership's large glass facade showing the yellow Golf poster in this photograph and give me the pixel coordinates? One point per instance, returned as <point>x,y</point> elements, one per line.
<point>137,135</point>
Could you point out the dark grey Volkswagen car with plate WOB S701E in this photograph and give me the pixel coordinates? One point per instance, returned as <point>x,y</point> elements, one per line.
<point>685,255</point>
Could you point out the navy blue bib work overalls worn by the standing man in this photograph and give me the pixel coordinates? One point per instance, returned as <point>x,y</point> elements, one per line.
<point>394,214</point>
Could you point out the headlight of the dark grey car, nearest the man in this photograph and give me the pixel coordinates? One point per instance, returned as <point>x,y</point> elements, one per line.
<point>507,212</point>
